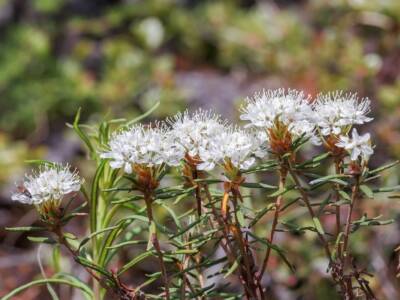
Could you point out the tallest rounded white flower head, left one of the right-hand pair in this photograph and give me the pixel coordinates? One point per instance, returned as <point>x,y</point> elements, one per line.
<point>290,108</point>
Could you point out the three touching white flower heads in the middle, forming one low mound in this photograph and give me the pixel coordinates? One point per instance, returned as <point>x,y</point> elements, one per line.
<point>203,136</point>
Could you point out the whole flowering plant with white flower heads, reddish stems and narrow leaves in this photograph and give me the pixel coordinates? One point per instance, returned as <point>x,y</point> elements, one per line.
<point>179,200</point>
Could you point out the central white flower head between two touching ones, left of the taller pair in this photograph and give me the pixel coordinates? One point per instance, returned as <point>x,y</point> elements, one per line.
<point>199,134</point>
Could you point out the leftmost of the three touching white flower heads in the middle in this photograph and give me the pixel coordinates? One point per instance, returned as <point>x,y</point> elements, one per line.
<point>142,145</point>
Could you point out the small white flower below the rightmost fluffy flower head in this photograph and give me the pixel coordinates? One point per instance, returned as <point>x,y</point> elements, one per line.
<point>357,146</point>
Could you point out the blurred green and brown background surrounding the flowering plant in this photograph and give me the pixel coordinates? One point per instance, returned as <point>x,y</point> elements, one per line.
<point>117,58</point>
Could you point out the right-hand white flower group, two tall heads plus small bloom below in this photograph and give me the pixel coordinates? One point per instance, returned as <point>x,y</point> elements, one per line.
<point>330,114</point>
